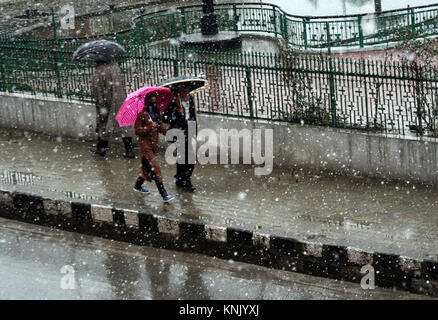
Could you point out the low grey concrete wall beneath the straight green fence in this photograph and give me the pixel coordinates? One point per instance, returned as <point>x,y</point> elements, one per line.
<point>295,146</point>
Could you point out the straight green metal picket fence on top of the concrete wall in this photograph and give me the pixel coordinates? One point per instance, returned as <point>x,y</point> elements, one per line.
<point>314,89</point>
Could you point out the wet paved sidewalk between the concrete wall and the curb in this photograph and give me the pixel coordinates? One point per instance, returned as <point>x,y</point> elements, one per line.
<point>396,218</point>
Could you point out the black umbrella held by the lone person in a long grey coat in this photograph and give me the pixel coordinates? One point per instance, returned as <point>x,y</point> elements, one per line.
<point>99,50</point>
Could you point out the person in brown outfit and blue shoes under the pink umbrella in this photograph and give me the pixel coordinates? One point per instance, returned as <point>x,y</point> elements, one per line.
<point>147,127</point>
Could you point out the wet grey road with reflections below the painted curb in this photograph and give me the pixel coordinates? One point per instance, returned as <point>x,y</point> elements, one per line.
<point>32,258</point>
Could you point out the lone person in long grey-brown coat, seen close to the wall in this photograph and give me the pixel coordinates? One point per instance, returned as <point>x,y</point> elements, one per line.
<point>108,88</point>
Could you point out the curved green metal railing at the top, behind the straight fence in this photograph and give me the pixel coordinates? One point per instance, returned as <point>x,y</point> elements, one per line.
<point>301,32</point>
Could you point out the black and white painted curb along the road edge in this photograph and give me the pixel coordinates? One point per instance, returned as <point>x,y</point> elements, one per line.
<point>337,262</point>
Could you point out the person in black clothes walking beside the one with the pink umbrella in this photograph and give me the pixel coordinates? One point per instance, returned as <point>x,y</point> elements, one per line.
<point>178,114</point>
